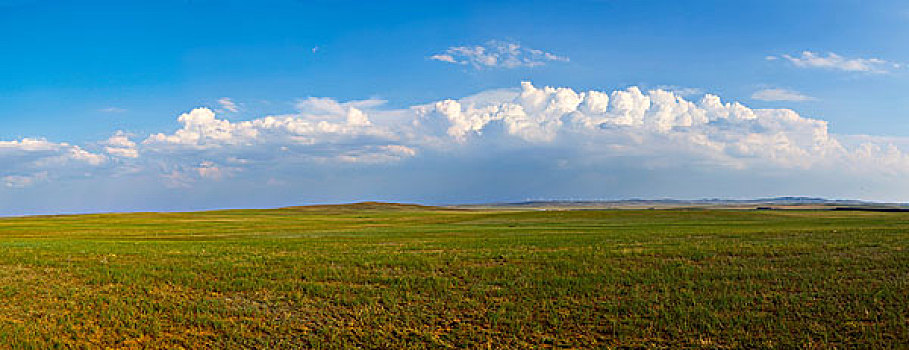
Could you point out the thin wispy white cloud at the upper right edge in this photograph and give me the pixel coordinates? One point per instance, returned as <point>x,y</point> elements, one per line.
<point>810,59</point>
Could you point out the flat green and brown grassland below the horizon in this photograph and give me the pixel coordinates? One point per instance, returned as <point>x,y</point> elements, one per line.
<point>388,276</point>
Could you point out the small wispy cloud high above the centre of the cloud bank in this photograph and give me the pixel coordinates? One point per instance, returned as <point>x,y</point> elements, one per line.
<point>497,54</point>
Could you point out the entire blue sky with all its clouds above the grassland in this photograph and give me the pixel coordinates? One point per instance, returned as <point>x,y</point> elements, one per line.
<point>204,104</point>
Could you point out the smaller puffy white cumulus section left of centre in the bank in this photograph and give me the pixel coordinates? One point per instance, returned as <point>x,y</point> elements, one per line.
<point>323,130</point>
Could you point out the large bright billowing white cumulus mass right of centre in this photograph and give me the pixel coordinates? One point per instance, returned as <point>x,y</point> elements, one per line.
<point>656,124</point>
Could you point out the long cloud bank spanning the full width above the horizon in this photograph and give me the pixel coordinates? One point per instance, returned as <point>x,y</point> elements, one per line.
<point>532,142</point>
